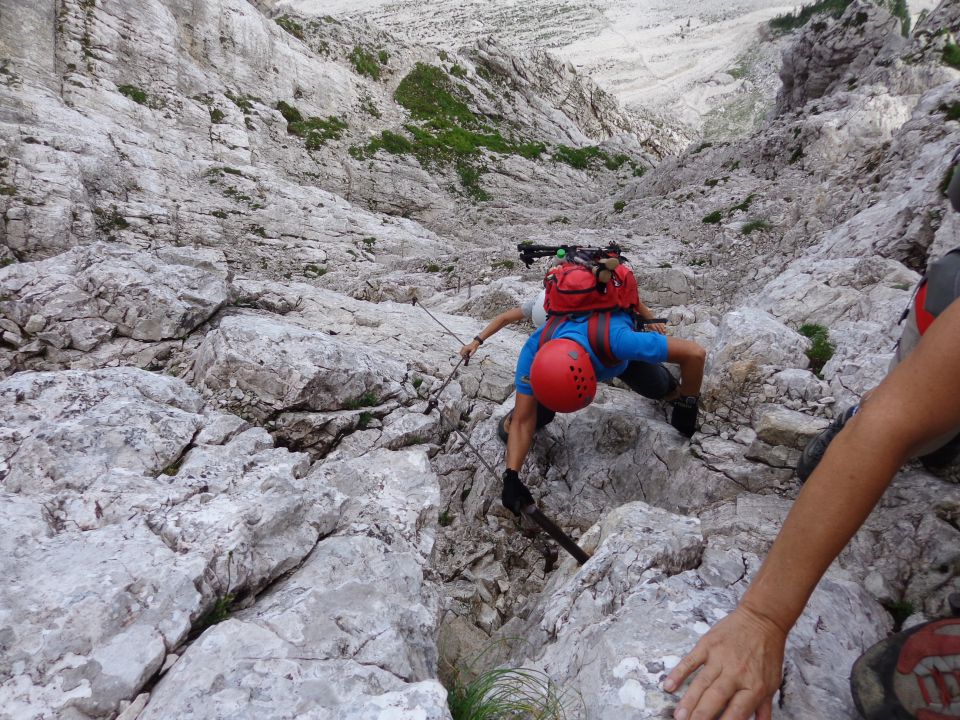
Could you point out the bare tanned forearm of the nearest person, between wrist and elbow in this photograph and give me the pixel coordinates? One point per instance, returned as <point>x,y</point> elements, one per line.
<point>832,505</point>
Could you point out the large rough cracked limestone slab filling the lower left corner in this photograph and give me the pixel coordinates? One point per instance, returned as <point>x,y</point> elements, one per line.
<point>132,513</point>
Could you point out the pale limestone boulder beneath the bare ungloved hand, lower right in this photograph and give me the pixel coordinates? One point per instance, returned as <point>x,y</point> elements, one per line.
<point>616,626</point>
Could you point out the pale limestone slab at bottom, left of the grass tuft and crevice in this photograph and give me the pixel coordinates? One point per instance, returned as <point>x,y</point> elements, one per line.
<point>351,634</point>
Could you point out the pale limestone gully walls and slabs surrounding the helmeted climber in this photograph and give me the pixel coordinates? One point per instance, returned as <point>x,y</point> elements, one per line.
<point>245,471</point>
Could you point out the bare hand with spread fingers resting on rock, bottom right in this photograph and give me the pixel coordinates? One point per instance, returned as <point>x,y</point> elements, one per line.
<point>740,663</point>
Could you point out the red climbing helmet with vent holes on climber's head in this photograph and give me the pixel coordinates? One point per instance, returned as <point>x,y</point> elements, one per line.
<point>562,376</point>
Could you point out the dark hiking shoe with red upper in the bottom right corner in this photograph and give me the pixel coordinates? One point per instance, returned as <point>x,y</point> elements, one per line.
<point>913,675</point>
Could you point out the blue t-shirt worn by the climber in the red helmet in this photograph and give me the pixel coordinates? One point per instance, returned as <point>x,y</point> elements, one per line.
<point>625,342</point>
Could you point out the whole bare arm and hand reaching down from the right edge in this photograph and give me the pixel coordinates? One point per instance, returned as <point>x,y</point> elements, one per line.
<point>740,660</point>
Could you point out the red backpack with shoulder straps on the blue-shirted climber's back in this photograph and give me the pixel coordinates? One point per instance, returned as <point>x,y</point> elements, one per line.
<point>590,282</point>
